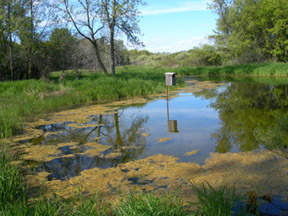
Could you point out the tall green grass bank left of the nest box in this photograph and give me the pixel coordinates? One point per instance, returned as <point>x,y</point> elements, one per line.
<point>21,100</point>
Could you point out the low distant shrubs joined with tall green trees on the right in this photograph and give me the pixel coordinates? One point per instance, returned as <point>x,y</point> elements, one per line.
<point>248,31</point>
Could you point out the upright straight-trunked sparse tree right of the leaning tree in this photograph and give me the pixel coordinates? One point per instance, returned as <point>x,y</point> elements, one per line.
<point>120,15</point>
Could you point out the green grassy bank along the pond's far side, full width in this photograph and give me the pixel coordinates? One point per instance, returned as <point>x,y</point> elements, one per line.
<point>22,100</point>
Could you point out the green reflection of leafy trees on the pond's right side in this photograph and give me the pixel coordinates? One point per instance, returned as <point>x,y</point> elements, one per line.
<point>243,107</point>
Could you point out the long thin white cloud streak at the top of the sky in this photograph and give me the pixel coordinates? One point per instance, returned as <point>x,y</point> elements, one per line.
<point>200,5</point>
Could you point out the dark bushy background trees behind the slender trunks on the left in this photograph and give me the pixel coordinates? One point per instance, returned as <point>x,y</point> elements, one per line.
<point>62,51</point>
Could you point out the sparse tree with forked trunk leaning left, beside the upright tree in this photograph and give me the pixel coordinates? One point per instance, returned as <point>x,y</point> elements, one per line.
<point>84,15</point>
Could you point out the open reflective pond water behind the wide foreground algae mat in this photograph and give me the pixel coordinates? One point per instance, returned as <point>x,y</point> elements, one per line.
<point>222,117</point>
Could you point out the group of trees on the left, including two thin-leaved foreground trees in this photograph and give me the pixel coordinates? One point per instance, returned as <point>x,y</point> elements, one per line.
<point>36,38</point>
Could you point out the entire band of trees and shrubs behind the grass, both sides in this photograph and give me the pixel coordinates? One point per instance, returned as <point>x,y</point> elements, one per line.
<point>35,39</point>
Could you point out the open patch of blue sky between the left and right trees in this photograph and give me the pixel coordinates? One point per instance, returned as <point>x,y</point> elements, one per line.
<point>176,25</point>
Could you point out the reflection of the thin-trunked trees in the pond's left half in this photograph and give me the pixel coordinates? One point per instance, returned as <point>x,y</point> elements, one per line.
<point>122,134</point>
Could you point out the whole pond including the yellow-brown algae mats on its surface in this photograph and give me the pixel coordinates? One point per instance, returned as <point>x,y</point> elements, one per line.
<point>137,142</point>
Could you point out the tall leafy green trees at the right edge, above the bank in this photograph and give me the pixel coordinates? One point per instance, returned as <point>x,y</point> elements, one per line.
<point>252,30</point>
